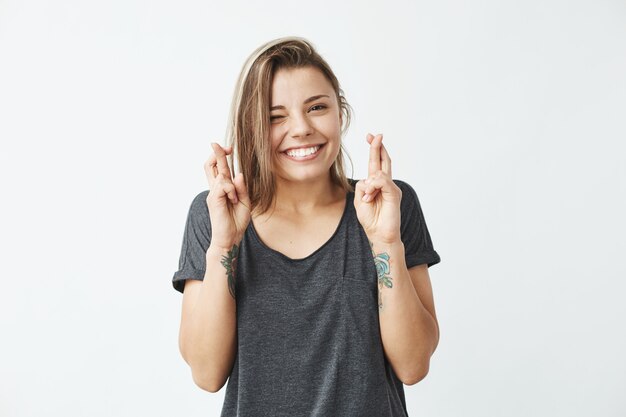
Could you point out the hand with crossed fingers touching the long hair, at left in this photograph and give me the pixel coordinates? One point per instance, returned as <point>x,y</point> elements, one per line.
<point>228,201</point>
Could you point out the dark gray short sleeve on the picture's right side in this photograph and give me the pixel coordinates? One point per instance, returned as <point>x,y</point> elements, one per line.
<point>418,246</point>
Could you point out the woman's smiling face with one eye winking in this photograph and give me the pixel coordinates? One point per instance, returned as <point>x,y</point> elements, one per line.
<point>305,124</point>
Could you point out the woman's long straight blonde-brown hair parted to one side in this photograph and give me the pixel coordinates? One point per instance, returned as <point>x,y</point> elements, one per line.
<point>249,119</point>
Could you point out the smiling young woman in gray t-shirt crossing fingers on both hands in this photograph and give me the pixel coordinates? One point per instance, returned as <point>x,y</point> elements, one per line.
<point>307,290</point>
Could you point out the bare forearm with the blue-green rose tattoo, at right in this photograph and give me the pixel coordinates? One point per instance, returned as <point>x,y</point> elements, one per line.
<point>409,333</point>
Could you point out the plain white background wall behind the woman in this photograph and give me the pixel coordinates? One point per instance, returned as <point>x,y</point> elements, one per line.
<point>507,117</point>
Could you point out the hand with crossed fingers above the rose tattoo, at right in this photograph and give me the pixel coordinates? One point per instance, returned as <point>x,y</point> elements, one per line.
<point>377,198</point>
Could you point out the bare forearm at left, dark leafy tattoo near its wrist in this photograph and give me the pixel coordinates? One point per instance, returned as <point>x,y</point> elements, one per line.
<point>210,335</point>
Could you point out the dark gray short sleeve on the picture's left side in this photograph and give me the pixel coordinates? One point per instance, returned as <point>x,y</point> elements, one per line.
<point>196,240</point>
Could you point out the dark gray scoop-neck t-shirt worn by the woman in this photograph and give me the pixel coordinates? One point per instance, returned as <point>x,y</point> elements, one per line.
<point>308,333</point>
